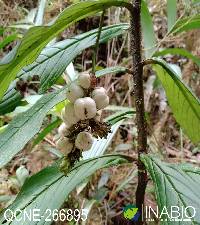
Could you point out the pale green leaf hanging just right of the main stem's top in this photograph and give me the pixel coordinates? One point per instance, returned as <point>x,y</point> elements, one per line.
<point>147,31</point>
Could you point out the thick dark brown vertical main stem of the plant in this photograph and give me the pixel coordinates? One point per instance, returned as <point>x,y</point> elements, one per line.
<point>139,102</point>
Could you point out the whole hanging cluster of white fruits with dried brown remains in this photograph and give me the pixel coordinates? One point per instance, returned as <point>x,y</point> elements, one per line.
<point>81,117</point>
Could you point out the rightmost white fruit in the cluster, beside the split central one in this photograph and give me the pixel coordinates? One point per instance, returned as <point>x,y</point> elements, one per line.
<point>100,97</point>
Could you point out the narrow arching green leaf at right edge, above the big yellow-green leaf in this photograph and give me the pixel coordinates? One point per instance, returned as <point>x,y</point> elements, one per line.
<point>178,51</point>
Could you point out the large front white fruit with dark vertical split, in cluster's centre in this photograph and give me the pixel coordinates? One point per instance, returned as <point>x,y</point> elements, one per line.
<point>85,108</point>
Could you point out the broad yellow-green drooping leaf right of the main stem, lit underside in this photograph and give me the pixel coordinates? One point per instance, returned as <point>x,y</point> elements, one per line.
<point>184,104</point>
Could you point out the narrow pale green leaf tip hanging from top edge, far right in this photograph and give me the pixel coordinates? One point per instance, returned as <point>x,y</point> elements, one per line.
<point>171,13</point>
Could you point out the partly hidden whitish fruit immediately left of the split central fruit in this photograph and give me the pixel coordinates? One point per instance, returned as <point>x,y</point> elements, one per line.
<point>68,115</point>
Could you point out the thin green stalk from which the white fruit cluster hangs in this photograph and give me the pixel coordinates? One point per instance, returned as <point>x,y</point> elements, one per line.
<point>97,43</point>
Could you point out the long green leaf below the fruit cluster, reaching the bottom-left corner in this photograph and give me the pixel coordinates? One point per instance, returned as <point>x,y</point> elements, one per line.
<point>49,188</point>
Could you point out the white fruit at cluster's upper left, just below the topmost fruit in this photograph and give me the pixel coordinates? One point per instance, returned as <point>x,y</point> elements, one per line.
<point>74,92</point>
